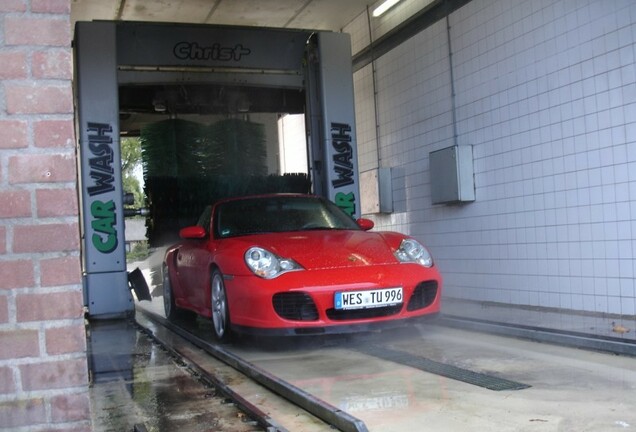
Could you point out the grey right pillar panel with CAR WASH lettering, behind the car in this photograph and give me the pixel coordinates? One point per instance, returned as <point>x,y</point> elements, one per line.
<point>341,158</point>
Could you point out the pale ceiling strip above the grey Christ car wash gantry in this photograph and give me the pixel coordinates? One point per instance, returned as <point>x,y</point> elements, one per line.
<point>302,14</point>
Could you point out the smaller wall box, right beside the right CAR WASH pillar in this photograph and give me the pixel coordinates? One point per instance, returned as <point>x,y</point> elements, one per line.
<point>376,191</point>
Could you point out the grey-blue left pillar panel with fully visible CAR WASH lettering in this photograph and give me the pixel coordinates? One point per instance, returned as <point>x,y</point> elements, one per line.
<point>100,159</point>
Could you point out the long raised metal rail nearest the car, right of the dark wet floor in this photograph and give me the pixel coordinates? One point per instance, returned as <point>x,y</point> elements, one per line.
<point>315,406</point>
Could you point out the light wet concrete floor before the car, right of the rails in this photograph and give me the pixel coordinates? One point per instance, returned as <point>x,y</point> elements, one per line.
<point>571,390</point>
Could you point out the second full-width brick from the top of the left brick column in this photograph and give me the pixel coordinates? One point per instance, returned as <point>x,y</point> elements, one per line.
<point>38,98</point>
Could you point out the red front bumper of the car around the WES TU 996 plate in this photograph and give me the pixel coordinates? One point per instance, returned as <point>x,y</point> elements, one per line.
<point>251,299</point>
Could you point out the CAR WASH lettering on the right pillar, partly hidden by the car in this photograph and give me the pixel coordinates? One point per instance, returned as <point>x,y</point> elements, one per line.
<point>343,166</point>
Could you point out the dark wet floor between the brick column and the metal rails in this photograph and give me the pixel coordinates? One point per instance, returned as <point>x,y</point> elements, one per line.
<point>136,385</point>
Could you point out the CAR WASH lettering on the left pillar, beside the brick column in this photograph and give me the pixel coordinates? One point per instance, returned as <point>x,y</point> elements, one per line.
<point>100,145</point>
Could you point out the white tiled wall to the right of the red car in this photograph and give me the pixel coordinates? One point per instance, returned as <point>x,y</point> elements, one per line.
<point>546,94</point>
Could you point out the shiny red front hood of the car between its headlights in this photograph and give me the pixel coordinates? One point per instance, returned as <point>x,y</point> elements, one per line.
<point>331,248</point>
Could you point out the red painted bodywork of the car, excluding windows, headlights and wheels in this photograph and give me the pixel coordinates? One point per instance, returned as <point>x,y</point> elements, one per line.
<point>332,260</point>
